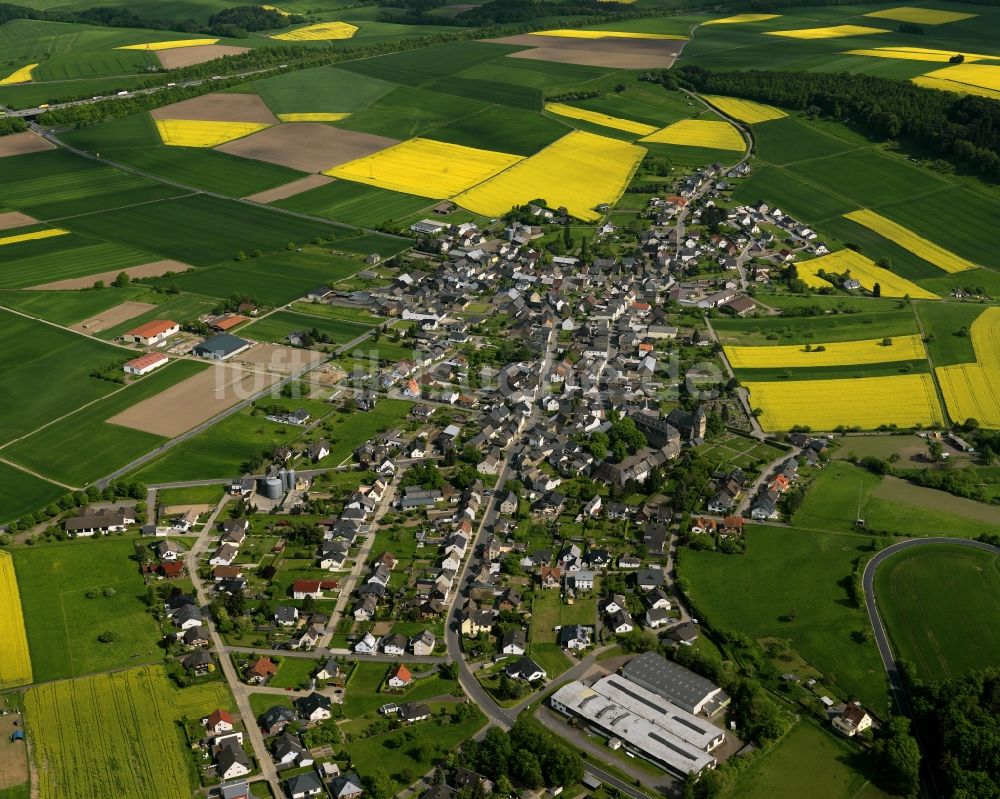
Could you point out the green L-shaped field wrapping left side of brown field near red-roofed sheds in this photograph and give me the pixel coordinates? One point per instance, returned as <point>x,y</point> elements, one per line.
<point>83,447</point>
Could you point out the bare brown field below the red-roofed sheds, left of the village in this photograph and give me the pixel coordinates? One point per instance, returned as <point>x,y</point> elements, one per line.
<point>193,401</point>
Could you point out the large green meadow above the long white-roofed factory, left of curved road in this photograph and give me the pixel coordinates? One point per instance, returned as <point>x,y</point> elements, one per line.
<point>793,584</point>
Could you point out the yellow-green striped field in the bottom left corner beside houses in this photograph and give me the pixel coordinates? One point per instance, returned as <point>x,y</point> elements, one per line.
<point>111,734</point>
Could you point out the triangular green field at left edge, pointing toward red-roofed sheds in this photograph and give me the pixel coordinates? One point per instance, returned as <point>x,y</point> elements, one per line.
<point>46,373</point>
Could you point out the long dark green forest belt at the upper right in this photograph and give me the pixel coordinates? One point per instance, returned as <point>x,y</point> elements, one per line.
<point>962,129</point>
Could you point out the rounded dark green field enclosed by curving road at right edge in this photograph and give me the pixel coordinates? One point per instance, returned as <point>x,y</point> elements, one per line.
<point>935,601</point>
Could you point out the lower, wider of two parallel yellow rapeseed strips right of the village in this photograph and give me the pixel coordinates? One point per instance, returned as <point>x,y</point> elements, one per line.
<point>866,402</point>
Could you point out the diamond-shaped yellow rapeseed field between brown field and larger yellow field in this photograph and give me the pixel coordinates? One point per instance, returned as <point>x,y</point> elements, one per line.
<point>426,168</point>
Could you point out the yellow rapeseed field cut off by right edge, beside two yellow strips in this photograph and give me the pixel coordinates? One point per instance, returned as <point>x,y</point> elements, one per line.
<point>973,389</point>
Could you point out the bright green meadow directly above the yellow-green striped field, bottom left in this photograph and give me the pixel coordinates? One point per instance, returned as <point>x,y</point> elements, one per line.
<point>63,623</point>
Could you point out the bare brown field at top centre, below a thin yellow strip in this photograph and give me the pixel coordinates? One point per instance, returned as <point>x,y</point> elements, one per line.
<point>617,53</point>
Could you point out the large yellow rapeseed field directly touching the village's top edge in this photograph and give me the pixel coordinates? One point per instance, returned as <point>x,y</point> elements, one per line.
<point>579,171</point>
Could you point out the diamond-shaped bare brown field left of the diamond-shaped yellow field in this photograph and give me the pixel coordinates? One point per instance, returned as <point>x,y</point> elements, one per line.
<point>307,146</point>
